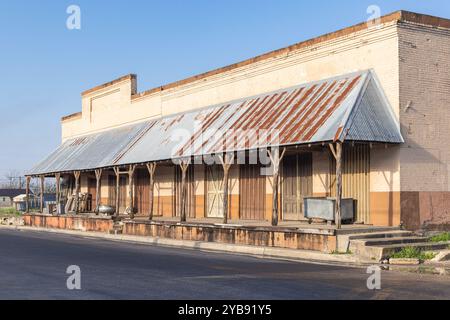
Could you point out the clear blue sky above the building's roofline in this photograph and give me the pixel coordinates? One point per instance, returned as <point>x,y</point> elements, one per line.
<point>44,66</point>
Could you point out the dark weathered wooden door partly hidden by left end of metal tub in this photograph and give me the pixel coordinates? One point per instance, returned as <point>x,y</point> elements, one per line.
<point>296,185</point>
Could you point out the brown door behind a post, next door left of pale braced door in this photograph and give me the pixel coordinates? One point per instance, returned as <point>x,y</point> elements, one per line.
<point>190,189</point>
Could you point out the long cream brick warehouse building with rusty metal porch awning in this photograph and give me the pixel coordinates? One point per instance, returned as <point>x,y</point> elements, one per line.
<point>357,115</point>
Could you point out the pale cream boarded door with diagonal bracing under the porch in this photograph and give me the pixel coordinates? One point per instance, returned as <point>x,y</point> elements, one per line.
<point>214,191</point>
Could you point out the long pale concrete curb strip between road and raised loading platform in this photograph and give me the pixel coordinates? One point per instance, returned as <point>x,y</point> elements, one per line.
<point>261,252</point>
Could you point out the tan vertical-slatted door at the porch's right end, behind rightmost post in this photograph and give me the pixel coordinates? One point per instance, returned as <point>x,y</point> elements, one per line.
<point>355,178</point>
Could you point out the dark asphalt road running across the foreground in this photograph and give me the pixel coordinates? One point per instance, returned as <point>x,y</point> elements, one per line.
<point>33,266</point>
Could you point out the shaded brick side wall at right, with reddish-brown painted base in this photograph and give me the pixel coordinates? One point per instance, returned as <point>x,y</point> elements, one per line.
<point>425,119</point>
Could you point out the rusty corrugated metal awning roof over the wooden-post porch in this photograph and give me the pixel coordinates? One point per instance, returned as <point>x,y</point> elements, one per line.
<point>348,107</point>
